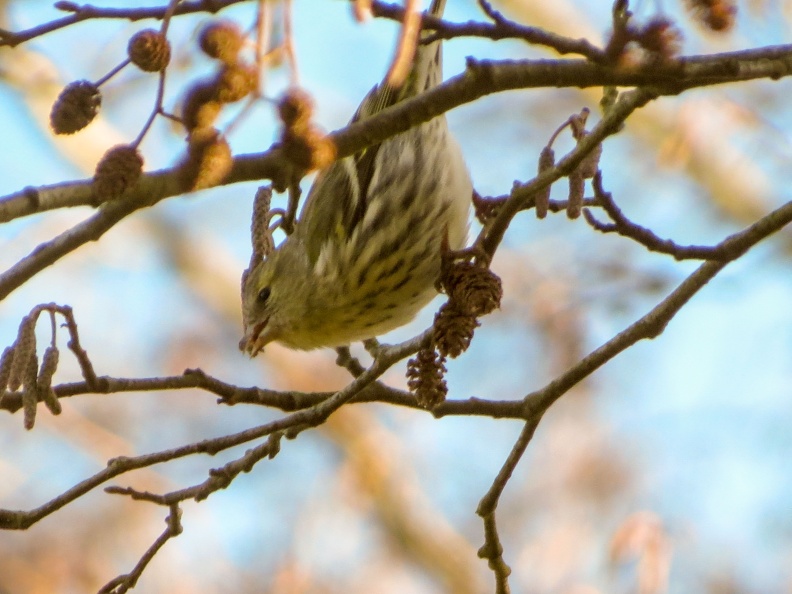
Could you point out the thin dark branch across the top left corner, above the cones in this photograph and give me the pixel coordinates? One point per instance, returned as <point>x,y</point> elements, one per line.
<point>88,12</point>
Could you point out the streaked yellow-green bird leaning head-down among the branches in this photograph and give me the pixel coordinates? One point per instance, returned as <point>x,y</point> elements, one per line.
<point>366,250</point>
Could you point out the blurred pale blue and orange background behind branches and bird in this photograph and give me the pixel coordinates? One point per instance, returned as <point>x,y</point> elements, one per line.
<point>667,471</point>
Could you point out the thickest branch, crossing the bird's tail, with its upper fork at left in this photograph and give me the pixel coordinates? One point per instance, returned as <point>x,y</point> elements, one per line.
<point>480,79</point>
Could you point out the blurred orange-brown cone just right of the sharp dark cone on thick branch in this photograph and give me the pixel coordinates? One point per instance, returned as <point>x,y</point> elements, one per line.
<point>209,159</point>
